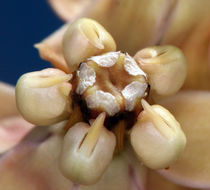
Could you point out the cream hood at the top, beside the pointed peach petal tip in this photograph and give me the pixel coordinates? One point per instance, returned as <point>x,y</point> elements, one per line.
<point>83,39</point>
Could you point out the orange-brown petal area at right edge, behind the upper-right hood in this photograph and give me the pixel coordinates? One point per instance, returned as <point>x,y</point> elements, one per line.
<point>198,58</point>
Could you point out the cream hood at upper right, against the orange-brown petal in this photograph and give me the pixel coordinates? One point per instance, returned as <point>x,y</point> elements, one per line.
<point>165,67</point>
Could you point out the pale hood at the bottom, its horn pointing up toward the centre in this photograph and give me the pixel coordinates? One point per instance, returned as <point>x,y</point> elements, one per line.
<point>87,151</point>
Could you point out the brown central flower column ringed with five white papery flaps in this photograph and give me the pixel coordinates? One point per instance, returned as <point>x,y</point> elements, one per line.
<point>111,83</point>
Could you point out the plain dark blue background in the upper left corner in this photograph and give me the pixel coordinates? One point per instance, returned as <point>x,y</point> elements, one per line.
<point>23,23</point>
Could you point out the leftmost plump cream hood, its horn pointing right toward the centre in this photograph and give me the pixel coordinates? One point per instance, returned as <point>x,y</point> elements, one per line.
<point>42,97</point>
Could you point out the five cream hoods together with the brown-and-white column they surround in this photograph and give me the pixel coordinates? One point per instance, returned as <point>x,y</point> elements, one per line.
<point>104,102</point>
